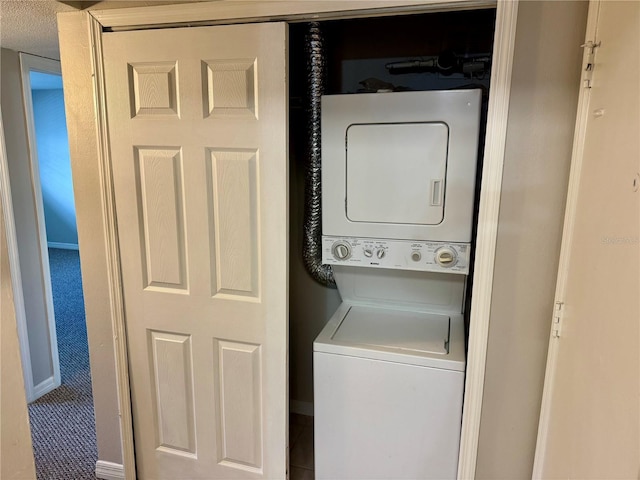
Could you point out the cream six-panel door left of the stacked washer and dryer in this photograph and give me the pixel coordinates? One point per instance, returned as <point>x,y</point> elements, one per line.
<point>197,120</point>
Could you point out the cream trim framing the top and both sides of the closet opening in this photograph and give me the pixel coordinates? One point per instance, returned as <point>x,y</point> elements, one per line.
<point>242,12</point>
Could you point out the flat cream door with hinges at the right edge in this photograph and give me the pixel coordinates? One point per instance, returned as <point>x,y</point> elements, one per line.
<point>590,412</point>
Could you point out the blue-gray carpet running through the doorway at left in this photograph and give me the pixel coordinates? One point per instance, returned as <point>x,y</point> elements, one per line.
<point>62,422</point>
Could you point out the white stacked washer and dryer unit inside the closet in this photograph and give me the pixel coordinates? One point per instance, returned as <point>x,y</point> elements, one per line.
<point>398,176</point>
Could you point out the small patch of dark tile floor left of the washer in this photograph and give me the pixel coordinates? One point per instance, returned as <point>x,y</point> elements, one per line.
<point>301,442</point>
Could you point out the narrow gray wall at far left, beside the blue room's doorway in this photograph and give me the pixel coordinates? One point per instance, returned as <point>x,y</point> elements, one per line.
<point>25,219</point>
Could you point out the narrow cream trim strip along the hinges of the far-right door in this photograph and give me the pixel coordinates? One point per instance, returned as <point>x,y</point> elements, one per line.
<point>582,118</point>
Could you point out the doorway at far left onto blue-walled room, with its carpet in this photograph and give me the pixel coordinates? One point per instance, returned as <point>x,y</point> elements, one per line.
<point>62,419</point>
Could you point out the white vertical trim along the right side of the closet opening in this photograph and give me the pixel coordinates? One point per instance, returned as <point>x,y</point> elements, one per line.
<point>486,237</point>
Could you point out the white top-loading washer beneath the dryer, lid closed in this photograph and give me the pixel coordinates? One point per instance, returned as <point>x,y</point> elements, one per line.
<point>389,378</point>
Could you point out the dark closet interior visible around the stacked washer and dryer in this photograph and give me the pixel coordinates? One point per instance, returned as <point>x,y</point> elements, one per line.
<point>417,52</point>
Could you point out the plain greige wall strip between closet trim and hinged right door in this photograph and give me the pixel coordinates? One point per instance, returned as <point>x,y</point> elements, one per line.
<point>542,111</point>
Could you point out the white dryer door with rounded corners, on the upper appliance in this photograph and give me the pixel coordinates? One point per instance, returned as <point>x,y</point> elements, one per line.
<point>396,172</point>
